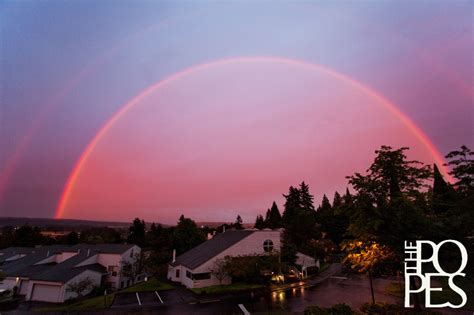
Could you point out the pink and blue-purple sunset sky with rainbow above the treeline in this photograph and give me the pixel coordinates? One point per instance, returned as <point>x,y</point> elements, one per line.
<point>113,110</point>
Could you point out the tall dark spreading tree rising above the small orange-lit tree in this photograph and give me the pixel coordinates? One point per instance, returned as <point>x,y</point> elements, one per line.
<point>384,208</point>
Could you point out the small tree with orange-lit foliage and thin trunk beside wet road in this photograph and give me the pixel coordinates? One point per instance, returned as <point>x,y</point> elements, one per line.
<point>367,257</point>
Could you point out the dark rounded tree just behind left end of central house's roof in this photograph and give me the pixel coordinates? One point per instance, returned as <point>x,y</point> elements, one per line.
<point>186,235</point>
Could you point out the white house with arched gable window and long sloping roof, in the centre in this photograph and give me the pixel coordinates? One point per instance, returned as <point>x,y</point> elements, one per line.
<point>193,268</point>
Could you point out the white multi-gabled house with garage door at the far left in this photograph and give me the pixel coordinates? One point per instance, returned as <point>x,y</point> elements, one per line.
<point>46,273</point>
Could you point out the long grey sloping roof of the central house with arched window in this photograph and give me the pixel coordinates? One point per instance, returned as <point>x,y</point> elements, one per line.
<point>207,250</point>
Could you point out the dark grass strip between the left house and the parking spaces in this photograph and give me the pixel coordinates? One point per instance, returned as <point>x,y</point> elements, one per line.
<point>97,303</point>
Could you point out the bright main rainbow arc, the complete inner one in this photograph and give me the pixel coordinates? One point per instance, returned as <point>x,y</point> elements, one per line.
<point>419,134</point>
